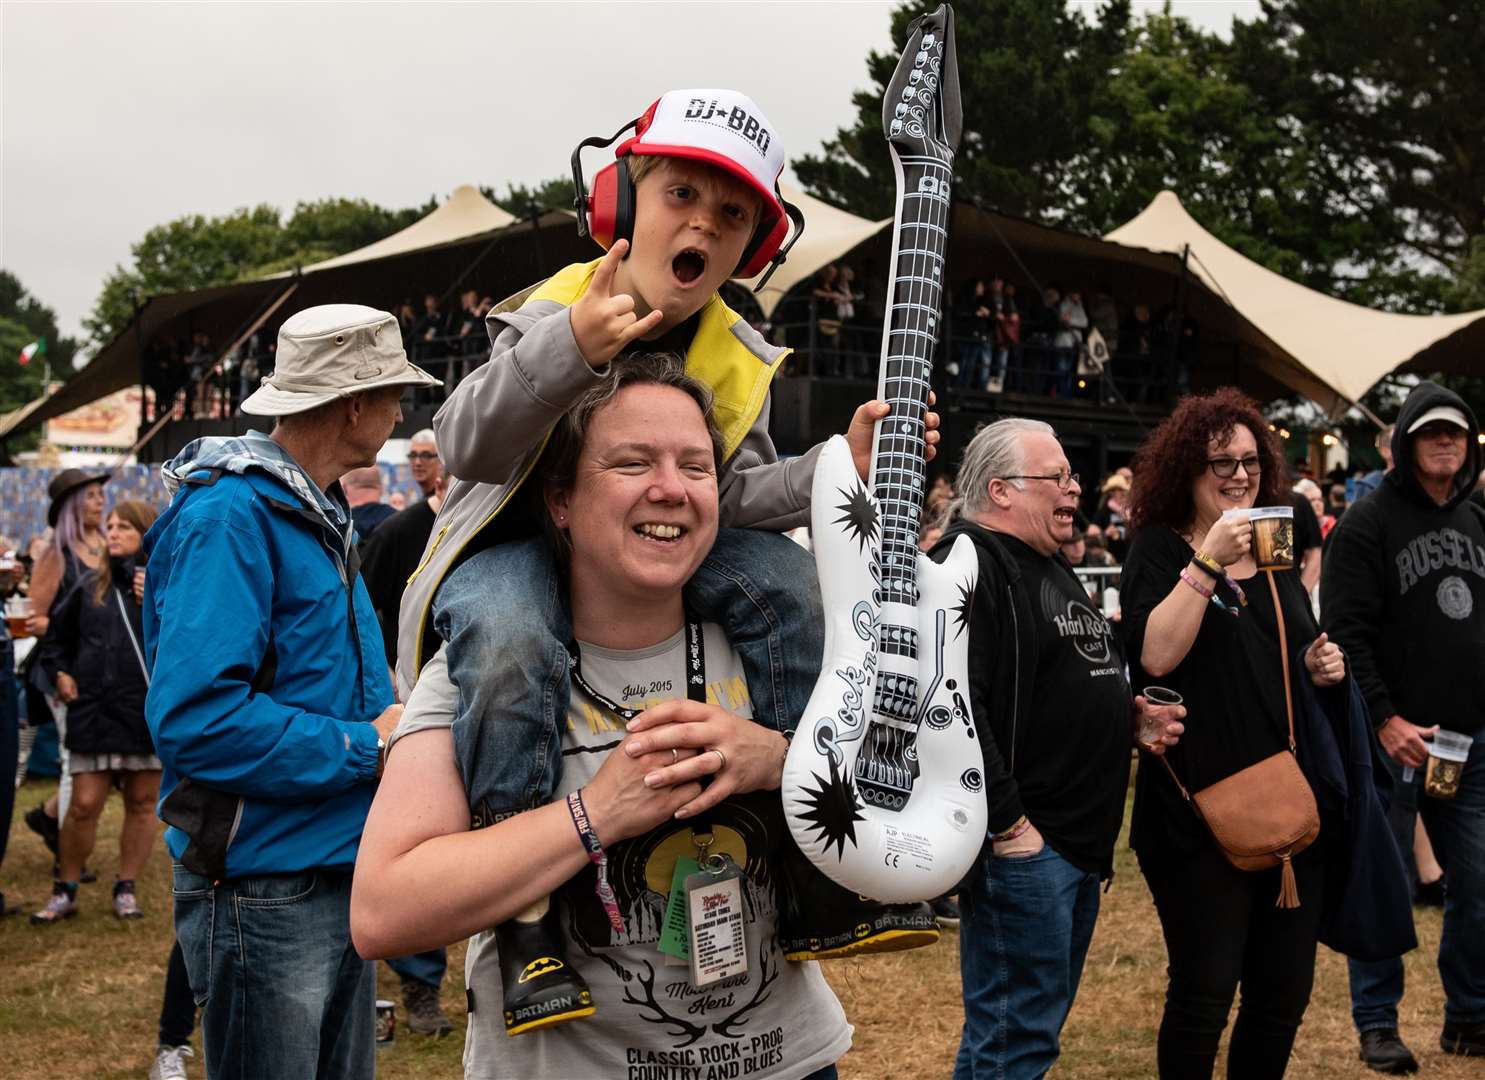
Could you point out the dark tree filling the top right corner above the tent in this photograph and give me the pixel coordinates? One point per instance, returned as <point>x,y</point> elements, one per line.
<point>1380,103</point>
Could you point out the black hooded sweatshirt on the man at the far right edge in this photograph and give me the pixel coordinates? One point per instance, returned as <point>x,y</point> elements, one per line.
<point>1403,588</point>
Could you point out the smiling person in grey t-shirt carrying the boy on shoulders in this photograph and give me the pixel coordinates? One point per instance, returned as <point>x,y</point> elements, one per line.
<point>666,803</point>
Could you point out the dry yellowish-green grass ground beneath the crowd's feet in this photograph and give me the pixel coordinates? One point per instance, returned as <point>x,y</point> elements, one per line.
<point>82,1001</point>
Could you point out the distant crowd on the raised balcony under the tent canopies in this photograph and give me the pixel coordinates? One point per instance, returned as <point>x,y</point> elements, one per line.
<point>1039,342</point>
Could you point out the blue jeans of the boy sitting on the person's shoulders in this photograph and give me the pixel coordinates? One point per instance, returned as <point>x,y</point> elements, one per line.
<point>506,619</point>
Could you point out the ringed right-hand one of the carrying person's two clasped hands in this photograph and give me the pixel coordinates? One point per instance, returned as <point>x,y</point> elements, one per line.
<point>739,755</point>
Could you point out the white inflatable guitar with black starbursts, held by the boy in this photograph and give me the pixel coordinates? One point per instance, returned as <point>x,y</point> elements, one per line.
<point>883,785</point>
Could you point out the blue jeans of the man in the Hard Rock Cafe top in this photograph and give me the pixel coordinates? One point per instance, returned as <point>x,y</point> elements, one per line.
<point>1025,932</point>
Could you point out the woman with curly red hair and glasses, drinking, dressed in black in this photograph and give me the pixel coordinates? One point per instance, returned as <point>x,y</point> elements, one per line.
<point>1201,620</point>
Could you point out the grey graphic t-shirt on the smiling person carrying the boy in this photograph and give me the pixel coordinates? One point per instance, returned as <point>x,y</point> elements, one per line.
<point>779,1020</point>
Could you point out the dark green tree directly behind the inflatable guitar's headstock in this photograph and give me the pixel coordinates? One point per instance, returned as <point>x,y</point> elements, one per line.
<point>1030,74</point>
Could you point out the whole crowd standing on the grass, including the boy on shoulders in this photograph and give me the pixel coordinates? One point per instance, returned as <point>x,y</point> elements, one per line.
<point>547,706</point>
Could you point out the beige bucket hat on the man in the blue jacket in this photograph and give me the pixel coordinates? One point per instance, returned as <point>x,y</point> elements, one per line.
<point>335,351</point>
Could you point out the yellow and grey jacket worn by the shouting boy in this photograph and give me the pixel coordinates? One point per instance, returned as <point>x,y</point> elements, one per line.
<point>494,427</point>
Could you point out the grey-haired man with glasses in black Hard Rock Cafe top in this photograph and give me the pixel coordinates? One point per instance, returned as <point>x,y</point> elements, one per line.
<point>1057,723</point>
